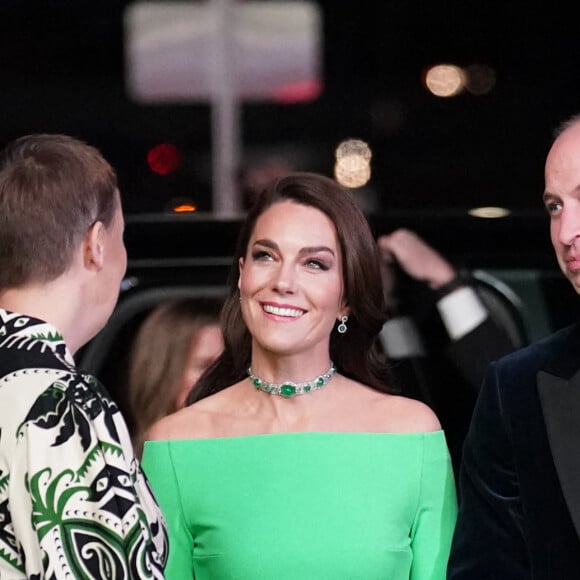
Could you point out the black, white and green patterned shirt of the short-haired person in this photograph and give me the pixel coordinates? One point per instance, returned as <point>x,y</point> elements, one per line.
<point>74,502</point>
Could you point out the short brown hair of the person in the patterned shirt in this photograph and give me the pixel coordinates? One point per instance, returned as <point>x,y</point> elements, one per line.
<point>52,189</point>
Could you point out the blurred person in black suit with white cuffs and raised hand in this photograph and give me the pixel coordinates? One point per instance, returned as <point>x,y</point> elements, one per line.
<point>440,335</point>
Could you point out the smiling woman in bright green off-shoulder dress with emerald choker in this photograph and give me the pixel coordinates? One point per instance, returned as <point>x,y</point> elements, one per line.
<point>295,460</point>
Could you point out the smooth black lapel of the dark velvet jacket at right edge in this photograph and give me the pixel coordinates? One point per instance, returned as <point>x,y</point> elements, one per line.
<point>559,390</point>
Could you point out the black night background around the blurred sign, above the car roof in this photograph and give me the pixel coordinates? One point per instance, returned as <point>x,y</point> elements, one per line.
<point>62,70</point>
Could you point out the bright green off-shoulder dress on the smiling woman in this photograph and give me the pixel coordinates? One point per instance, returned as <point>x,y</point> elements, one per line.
<point>306,506</point>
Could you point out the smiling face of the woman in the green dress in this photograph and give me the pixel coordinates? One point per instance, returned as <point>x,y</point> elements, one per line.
<point>291,280</point>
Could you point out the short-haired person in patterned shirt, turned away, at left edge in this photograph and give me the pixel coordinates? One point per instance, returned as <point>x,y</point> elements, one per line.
<point>73,500</point>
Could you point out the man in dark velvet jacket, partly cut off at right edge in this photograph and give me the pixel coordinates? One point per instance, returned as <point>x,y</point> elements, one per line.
<point>519,515</point>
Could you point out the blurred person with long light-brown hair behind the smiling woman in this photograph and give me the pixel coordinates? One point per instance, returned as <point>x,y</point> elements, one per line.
<point>175,343</point>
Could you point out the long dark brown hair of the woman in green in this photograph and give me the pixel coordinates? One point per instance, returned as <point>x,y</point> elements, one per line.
<point>354,353</point>
